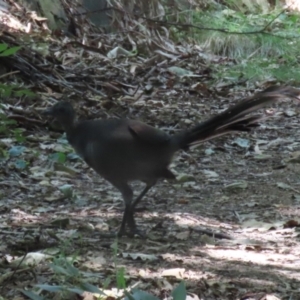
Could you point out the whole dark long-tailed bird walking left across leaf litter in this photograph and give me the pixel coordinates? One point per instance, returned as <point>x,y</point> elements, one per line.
<point>122,150</point>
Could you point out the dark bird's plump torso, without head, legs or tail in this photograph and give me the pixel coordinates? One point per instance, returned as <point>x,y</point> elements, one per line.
<point>122,155</point>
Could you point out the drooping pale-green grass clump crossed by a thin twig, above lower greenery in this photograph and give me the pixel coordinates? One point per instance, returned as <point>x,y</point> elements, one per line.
<point>236,38</point>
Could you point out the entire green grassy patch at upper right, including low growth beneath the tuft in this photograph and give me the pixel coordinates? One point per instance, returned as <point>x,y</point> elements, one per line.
<point>263,45</point>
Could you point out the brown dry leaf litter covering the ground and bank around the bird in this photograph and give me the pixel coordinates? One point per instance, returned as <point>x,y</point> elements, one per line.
<point>228,227</point>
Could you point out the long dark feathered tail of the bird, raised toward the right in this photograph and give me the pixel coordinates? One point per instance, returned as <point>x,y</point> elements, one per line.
<point>235,118</point>
